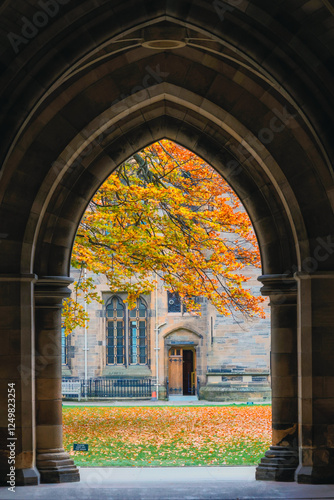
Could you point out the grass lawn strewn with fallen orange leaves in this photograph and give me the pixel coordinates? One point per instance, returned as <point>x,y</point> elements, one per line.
<point>168,435</point>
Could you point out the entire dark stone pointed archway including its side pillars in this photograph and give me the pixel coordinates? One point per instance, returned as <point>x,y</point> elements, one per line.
<point>247,90</point>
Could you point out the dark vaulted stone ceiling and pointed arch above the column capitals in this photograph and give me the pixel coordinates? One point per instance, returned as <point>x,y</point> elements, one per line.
<point>247,85</point>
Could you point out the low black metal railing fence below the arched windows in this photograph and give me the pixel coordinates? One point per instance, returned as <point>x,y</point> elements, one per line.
<point>114,388</point>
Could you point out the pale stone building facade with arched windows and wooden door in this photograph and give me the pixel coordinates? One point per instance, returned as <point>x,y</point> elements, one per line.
<point>218,357</point>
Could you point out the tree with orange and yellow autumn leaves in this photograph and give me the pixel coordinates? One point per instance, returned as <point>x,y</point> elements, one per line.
<point>167,214</point>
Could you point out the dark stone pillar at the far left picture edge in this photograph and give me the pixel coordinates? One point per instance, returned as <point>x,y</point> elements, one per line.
<point>17,367</point>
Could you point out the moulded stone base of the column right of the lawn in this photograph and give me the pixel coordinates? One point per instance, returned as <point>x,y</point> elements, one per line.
<point>278,464</point>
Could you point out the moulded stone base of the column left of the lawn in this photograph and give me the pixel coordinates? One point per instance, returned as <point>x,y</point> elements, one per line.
<point>56,466</point>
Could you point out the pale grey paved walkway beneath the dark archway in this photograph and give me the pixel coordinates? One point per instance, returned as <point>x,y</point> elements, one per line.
<point>171,483</point>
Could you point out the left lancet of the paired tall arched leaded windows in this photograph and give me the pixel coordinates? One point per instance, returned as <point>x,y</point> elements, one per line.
<point>115,311</point>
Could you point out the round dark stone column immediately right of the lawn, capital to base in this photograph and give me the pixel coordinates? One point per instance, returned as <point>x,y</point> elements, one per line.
<point>281,460</point>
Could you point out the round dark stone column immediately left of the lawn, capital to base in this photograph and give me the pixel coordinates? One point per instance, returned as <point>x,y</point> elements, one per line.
<point>53,463</point>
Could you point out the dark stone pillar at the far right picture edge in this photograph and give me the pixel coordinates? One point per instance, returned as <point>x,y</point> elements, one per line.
<point>316,377</point>
